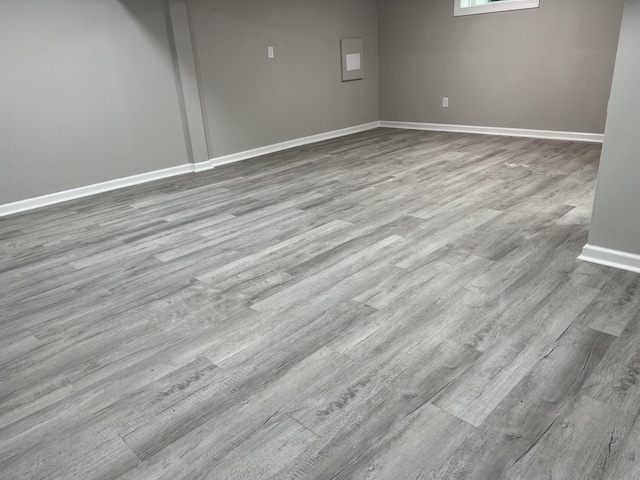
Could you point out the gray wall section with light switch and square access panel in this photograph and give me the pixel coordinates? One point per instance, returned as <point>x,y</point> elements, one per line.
<point>251,101</point>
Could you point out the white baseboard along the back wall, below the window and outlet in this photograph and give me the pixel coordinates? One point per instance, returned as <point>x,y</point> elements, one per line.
<point>511,132</point>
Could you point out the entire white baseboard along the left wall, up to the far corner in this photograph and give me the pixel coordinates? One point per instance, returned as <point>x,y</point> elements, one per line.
<point>51,199</point>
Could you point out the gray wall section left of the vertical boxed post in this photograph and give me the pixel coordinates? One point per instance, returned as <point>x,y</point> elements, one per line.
<point>88,94</point>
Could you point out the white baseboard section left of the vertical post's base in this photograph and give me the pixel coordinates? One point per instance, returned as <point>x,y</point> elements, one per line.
<point>73,194</point>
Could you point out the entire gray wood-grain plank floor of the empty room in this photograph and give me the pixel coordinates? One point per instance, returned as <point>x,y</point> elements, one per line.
<point>389,305</point>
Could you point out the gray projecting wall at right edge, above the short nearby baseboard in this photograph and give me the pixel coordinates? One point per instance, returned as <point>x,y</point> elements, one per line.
<point>616,215</point>
